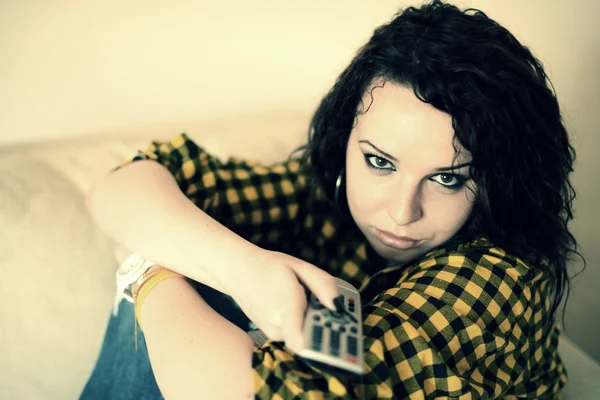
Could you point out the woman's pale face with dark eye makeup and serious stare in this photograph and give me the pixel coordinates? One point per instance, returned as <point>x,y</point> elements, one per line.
<point>402,192</point>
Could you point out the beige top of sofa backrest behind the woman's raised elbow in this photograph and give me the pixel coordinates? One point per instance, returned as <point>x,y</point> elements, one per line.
<point>266,137</point>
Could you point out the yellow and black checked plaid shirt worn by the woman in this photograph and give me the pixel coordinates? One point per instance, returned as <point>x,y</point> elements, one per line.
<point>467,321</point>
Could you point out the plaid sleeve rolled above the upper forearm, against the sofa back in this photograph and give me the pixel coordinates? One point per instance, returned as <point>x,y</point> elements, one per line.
<point>259,202</point>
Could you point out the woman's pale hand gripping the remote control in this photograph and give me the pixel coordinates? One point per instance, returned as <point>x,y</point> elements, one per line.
<point>273,296</point>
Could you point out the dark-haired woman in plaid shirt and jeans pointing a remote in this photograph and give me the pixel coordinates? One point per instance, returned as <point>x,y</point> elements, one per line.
<point>435,179</point>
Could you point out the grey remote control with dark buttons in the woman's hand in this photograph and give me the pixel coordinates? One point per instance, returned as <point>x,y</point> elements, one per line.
<point>333,339</point>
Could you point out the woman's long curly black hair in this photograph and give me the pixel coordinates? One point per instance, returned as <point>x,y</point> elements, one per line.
<point>504,112</point>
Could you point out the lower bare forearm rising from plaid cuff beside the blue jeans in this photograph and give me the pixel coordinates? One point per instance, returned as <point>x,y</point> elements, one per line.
<point>194,351</point>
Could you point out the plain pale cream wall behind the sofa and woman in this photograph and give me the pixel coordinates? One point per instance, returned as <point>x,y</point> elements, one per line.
<point>75,68</point>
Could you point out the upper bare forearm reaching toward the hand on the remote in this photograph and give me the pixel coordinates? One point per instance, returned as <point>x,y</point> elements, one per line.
<point>141,207</point>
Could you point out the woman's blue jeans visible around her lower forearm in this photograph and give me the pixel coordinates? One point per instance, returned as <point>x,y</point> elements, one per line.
<point>121,373</point>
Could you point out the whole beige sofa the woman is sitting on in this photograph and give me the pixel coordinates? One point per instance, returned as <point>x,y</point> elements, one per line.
<point>57,268</point>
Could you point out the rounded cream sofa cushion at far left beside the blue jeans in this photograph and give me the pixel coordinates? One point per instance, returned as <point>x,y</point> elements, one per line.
<point>56,285</point>
